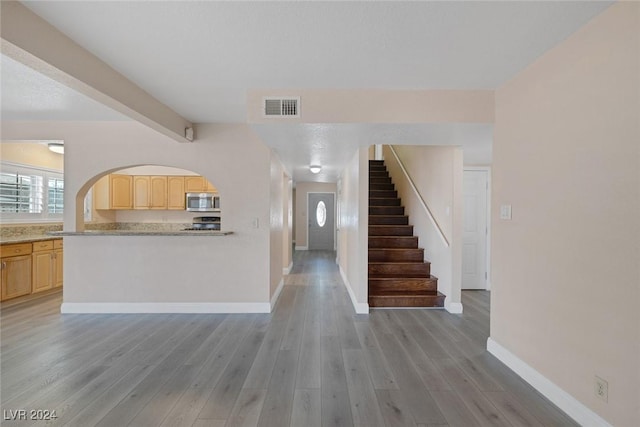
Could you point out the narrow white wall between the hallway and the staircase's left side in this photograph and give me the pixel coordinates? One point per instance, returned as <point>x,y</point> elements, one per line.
<point>353,199</point>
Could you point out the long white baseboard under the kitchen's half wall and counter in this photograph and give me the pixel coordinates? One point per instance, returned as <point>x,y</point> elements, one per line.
<point>164,307</point>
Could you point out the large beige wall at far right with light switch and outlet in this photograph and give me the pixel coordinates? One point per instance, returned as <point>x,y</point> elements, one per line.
<point>565,270</point>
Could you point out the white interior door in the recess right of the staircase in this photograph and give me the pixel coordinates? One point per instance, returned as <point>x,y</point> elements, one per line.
<point>474,237</point>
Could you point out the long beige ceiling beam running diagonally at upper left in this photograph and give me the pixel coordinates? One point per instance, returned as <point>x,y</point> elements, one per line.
<point>31,40</point>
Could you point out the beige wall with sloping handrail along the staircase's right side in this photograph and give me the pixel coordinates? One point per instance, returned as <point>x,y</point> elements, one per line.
<point>437,174</point>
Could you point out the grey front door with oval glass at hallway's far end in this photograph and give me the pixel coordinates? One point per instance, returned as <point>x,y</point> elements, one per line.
<point>321,217</point>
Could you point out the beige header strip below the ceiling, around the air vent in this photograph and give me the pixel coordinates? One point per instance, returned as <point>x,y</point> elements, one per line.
<point>380,106</point>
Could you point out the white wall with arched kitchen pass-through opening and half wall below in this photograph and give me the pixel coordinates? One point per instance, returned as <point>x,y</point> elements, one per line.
<point>231,271</point>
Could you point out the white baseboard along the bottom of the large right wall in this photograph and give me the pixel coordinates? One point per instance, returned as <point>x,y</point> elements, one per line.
<point>576,410</point>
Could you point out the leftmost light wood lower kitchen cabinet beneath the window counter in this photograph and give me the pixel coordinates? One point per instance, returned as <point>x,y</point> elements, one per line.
<point>15,268</point>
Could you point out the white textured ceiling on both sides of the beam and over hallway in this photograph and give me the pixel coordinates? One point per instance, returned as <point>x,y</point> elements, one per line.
<point>200,58</point>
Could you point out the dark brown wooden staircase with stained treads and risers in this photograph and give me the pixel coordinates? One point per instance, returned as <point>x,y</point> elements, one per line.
<point>398,274</point>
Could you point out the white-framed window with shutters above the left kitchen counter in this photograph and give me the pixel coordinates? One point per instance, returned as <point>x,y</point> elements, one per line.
<point>29,194</point>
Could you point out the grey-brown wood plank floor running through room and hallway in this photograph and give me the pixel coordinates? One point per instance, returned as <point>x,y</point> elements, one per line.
<point>312,362</point>
